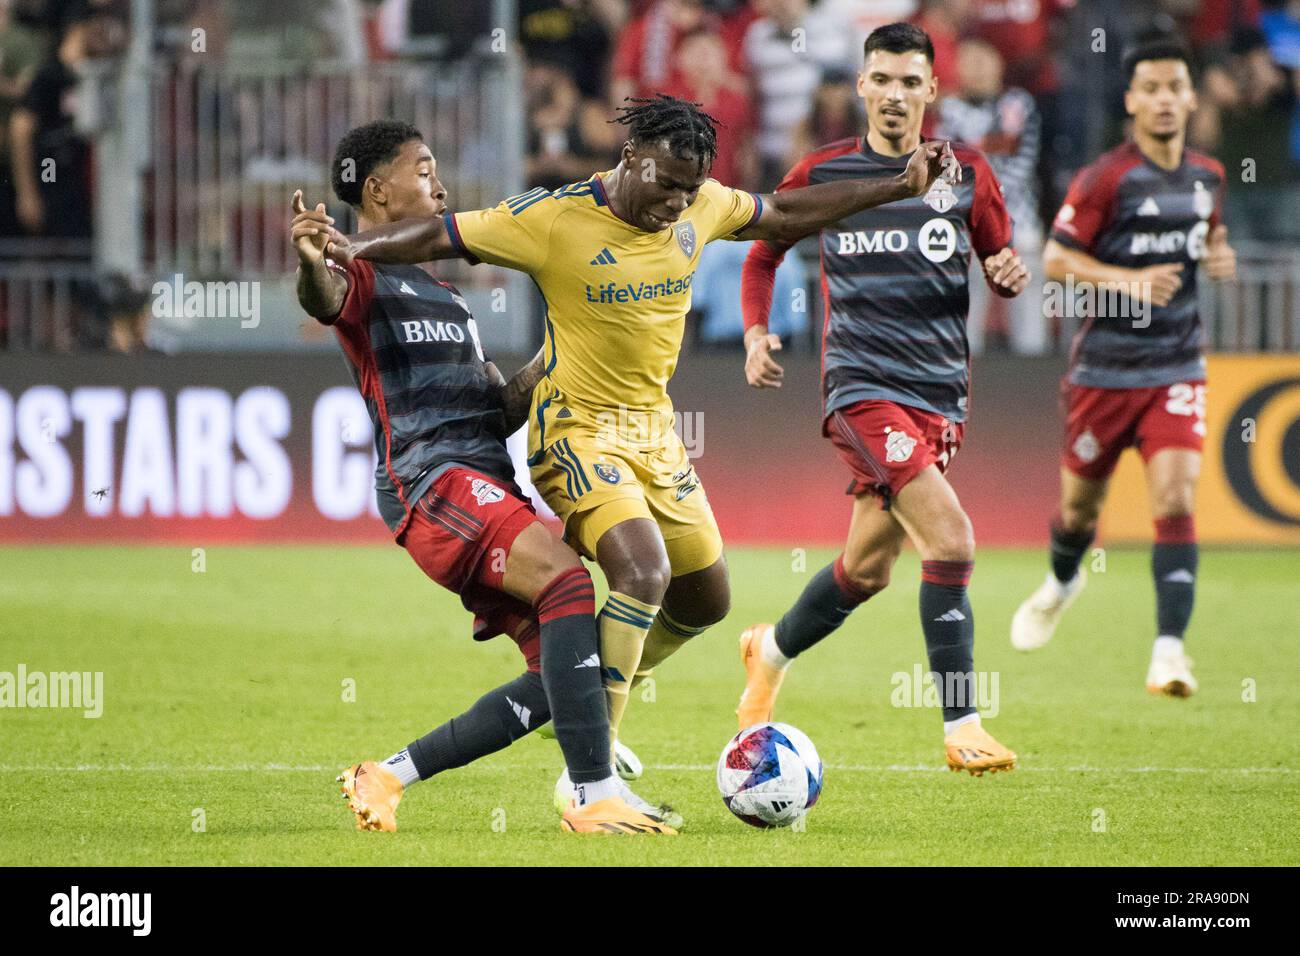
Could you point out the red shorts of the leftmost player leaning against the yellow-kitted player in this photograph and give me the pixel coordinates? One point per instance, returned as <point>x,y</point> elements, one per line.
<point>460,535</point>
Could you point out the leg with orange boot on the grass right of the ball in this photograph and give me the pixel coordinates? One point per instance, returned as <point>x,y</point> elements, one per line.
<point>929,511</point>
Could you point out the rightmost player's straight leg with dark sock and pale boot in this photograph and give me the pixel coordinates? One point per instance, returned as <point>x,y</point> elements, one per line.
<point>1172,475</point>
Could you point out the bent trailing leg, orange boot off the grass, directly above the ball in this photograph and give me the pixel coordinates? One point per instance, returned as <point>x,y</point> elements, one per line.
<point>833,594</point>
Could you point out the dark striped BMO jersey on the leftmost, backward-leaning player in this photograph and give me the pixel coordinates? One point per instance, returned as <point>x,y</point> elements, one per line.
<point>414,352</point>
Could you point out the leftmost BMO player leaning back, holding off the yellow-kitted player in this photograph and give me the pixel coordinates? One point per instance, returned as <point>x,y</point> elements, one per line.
<point>447,491</point>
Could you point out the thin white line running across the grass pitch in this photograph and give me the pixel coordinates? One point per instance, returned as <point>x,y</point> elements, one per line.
<point>833,768</point>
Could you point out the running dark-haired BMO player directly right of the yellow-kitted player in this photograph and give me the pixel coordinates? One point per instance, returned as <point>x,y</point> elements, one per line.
<point>895,384</point>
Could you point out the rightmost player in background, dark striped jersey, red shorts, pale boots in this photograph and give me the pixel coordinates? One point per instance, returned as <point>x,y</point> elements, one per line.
<point>1138,222</point>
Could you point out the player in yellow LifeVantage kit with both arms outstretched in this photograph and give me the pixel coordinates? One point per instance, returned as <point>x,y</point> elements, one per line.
<point>614,258</point>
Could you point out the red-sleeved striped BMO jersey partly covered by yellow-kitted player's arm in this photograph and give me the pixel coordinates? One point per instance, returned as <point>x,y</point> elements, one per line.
<point>895,282</point>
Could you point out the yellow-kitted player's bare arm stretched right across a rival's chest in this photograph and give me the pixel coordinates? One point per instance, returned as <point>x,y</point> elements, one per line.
<point>790,215</point>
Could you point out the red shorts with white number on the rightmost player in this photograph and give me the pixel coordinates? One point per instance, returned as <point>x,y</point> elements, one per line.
<point>1102,423</point>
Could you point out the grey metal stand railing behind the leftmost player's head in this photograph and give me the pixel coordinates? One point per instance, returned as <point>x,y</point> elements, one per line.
<point>231,145</point>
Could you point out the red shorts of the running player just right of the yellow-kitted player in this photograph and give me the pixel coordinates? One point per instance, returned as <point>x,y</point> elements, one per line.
<point>887,445</point>
